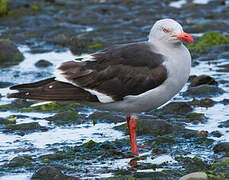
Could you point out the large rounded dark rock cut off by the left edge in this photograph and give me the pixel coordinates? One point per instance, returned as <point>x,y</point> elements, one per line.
<point>9,53</point>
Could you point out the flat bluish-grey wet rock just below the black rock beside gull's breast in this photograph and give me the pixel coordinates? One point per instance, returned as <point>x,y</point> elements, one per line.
<point>203,90</point>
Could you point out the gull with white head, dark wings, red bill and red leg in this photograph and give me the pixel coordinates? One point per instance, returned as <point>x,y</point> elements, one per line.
<point>128,78</point>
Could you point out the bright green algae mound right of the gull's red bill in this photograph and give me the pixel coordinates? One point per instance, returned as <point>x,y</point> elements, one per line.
<point>208,40</point>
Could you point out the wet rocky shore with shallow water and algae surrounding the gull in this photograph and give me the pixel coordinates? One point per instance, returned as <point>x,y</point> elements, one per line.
<point>55,141</point>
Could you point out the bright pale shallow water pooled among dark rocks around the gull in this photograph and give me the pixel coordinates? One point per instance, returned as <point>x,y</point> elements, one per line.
<point>79,134</point>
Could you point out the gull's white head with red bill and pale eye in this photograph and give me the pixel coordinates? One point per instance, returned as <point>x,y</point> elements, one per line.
<point>169,31</point>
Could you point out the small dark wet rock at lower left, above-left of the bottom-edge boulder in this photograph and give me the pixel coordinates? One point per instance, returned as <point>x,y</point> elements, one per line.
<point>21,161</point>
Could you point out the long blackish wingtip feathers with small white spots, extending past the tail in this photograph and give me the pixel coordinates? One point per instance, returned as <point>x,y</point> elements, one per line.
<point>51,90</point>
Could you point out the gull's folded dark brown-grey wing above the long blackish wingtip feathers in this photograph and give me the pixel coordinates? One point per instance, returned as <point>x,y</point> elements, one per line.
<point>130,69</point>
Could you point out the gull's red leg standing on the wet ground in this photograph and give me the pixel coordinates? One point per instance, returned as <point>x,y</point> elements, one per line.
<point>131,123</point>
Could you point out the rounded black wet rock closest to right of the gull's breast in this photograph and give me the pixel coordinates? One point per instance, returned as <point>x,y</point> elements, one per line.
<point>203,79</point>
